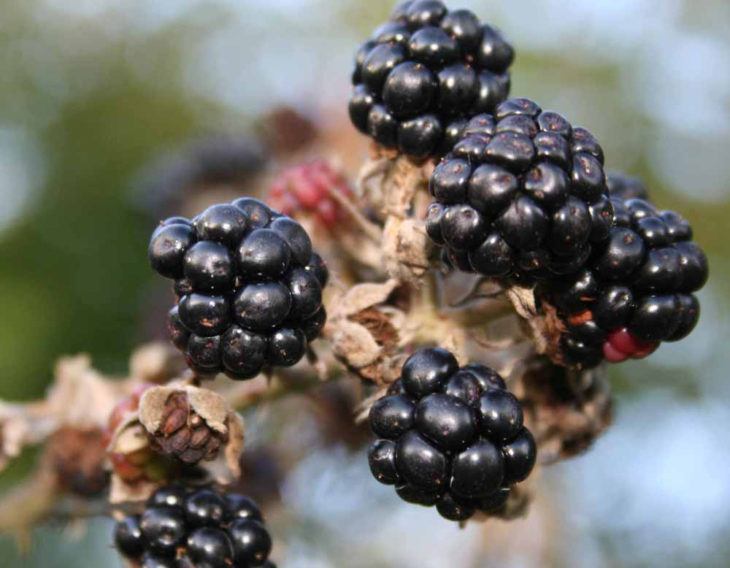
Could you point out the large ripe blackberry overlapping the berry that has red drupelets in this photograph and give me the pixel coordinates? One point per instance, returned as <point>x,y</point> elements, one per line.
<point>522,193</point>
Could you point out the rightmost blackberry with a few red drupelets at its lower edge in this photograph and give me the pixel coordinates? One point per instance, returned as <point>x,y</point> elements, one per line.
<point>636,290</point>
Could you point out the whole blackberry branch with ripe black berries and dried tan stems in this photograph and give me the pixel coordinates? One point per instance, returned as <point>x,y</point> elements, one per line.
<point>574,268</point>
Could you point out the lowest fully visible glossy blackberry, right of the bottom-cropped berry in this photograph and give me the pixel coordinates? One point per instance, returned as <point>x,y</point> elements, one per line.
<point>450,437</point>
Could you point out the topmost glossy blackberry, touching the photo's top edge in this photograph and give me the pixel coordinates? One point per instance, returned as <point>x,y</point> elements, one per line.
<point>423,72</point>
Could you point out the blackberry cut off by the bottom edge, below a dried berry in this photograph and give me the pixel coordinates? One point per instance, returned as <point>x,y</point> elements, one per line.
<point>181,528</point>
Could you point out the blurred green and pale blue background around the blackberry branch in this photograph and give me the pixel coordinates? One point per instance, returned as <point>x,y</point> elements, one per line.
<point>94,91</point>
